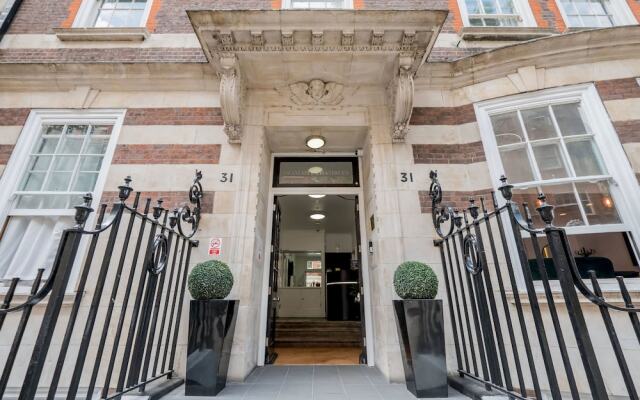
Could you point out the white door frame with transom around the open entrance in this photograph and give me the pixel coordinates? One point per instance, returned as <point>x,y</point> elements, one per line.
<point>358,191</point>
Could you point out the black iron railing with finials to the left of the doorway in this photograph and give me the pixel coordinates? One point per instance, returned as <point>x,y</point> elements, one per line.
<point>120,331</point>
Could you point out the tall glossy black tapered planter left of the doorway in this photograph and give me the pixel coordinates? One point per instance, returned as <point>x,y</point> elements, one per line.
<point>211,327</point>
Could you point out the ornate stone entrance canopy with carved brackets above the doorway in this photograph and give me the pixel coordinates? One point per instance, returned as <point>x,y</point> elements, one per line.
<point>313,55</point>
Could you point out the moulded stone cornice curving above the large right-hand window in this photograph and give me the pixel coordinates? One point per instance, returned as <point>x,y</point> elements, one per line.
<point>555,51</point>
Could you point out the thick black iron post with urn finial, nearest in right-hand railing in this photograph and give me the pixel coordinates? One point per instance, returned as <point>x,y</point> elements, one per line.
<point>562,260</point>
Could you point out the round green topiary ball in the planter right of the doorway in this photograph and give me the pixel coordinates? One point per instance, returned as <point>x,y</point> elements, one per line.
<point>415,280</point>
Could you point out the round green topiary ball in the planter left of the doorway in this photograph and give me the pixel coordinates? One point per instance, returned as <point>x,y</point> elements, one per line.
<point>210,280</point>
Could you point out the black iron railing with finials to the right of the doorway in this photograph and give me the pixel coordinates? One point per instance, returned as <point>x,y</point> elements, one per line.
<point>527,338</point>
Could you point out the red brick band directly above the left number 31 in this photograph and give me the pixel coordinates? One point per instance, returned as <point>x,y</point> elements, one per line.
<point>167,154</point>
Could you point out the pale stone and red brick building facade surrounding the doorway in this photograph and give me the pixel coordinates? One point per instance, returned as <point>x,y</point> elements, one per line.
<point>206,85</point>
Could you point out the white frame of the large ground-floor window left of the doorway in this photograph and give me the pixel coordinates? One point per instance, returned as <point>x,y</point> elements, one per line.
<point>30,134</point>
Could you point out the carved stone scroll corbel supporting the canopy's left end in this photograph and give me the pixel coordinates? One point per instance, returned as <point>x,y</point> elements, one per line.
<point>231,96</point>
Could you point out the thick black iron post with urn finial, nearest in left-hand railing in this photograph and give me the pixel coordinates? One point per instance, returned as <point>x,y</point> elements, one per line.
<point>65,258</point>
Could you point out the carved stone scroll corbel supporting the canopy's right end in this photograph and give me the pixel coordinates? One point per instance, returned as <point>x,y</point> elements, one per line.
<point>402,95</point>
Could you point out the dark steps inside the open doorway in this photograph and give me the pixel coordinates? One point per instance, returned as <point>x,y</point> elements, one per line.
<point>313,332</point>
